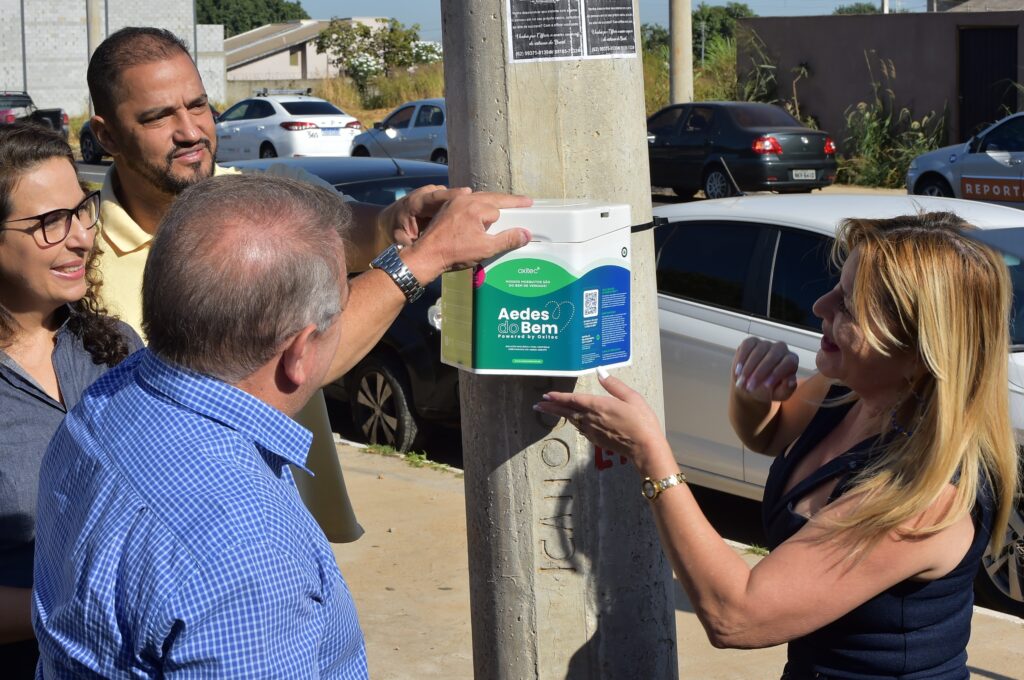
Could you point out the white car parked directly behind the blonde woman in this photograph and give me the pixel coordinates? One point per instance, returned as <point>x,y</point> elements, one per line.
<point>754,266</point>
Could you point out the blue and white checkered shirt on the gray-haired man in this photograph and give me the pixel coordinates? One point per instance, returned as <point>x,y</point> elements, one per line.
<point>172,540</point>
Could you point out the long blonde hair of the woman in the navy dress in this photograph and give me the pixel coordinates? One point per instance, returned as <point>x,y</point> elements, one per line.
<point>923,286</point>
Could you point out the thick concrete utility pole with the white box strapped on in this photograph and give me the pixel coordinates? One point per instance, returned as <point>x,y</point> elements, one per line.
<point>568,579</point>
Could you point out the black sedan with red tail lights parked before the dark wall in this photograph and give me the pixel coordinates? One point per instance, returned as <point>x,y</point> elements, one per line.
<point>717,146</point>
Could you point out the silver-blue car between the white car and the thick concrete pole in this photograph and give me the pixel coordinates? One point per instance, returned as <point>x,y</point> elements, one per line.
<point>415,131</point>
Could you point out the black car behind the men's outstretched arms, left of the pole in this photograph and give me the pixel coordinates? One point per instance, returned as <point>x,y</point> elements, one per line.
<point>401,389</point>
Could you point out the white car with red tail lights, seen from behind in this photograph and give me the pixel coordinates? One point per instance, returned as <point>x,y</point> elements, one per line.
<point>284,125</point>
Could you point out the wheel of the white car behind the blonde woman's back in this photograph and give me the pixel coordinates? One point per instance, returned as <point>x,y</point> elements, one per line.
<point>1001,579</point>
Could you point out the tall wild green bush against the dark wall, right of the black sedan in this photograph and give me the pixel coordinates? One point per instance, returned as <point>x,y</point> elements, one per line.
<point>883,140</point>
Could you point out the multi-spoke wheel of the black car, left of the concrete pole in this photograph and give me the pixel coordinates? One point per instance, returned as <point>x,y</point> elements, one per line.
<point>382,404</point>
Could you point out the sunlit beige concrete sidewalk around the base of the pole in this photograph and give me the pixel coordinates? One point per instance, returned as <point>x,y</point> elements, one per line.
<point>410,578</point>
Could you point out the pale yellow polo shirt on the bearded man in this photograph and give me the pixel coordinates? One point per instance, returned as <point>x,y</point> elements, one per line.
<point>126,247</point>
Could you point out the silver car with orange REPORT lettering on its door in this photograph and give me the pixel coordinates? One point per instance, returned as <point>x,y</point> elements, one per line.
<point>987,167</point>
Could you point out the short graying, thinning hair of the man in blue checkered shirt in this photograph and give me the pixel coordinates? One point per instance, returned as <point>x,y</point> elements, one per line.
<point>240,265</point>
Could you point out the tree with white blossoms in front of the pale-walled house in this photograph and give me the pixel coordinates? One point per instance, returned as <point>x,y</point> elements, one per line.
<point>364,52</point>
